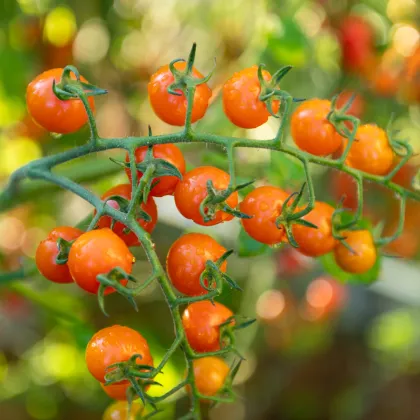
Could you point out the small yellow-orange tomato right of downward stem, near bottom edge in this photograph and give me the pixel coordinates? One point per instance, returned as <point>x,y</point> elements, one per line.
<point>210,374</point>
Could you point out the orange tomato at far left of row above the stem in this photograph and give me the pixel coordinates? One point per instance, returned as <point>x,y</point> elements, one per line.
<point>50,112</point>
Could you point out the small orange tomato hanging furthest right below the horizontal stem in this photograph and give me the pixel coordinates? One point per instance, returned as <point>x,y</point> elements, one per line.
<point>364,256</point>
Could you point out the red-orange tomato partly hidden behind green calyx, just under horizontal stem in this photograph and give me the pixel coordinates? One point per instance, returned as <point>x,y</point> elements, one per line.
<point>171,154</point>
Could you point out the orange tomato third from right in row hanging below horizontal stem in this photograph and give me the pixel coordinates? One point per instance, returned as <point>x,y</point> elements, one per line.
<point>264,204</point>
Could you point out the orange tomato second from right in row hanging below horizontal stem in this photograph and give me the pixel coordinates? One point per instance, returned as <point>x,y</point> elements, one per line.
<point>316,242</point>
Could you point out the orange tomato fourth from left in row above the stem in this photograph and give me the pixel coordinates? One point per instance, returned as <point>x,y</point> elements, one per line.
<point>311,130</point>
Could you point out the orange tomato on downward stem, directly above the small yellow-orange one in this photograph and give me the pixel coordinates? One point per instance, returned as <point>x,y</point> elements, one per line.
<point>201,321</point>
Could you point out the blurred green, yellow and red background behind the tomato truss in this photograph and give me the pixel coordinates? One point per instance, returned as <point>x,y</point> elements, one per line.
<point>324,347</point>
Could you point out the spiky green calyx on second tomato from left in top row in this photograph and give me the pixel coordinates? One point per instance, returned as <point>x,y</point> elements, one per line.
<point>185,79</point>
